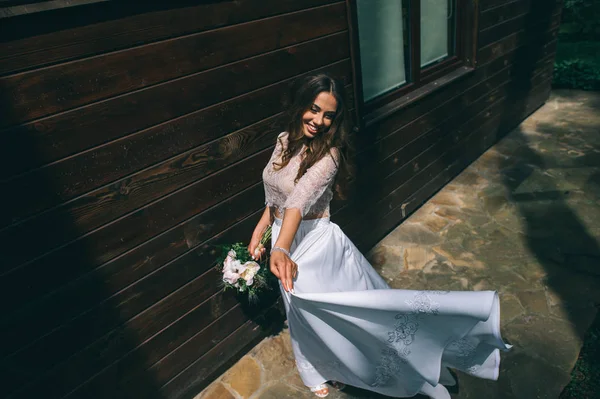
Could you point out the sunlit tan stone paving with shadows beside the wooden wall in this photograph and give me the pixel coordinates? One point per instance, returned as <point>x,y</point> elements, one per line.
<point>524,219</point>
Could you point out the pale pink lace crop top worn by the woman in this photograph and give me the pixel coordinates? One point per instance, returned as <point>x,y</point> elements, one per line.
<point>313,191</point>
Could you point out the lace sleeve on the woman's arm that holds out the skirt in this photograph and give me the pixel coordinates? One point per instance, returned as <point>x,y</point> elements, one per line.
<point>313,184</point>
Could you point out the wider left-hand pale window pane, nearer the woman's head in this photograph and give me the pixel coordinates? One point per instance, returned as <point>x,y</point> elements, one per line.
<point>381,46</point>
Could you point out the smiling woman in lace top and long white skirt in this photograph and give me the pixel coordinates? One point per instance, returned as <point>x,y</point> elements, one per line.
<point>346,325</point>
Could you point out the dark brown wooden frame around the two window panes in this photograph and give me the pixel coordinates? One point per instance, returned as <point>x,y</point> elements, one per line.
<point>422,80</point>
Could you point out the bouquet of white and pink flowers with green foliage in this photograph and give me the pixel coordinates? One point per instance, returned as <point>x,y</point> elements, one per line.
<point>241,272</point>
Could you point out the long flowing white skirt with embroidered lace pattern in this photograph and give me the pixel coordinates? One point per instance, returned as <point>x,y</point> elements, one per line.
<point>347,325</point>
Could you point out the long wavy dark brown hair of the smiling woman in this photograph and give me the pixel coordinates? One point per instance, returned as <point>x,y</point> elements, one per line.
<point>303,94</point>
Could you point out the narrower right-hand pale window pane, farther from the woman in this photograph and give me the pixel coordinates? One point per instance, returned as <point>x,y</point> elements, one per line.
<point>434,30</point>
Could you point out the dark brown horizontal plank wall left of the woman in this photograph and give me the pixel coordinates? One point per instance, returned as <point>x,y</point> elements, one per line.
<point>133,141</point>
